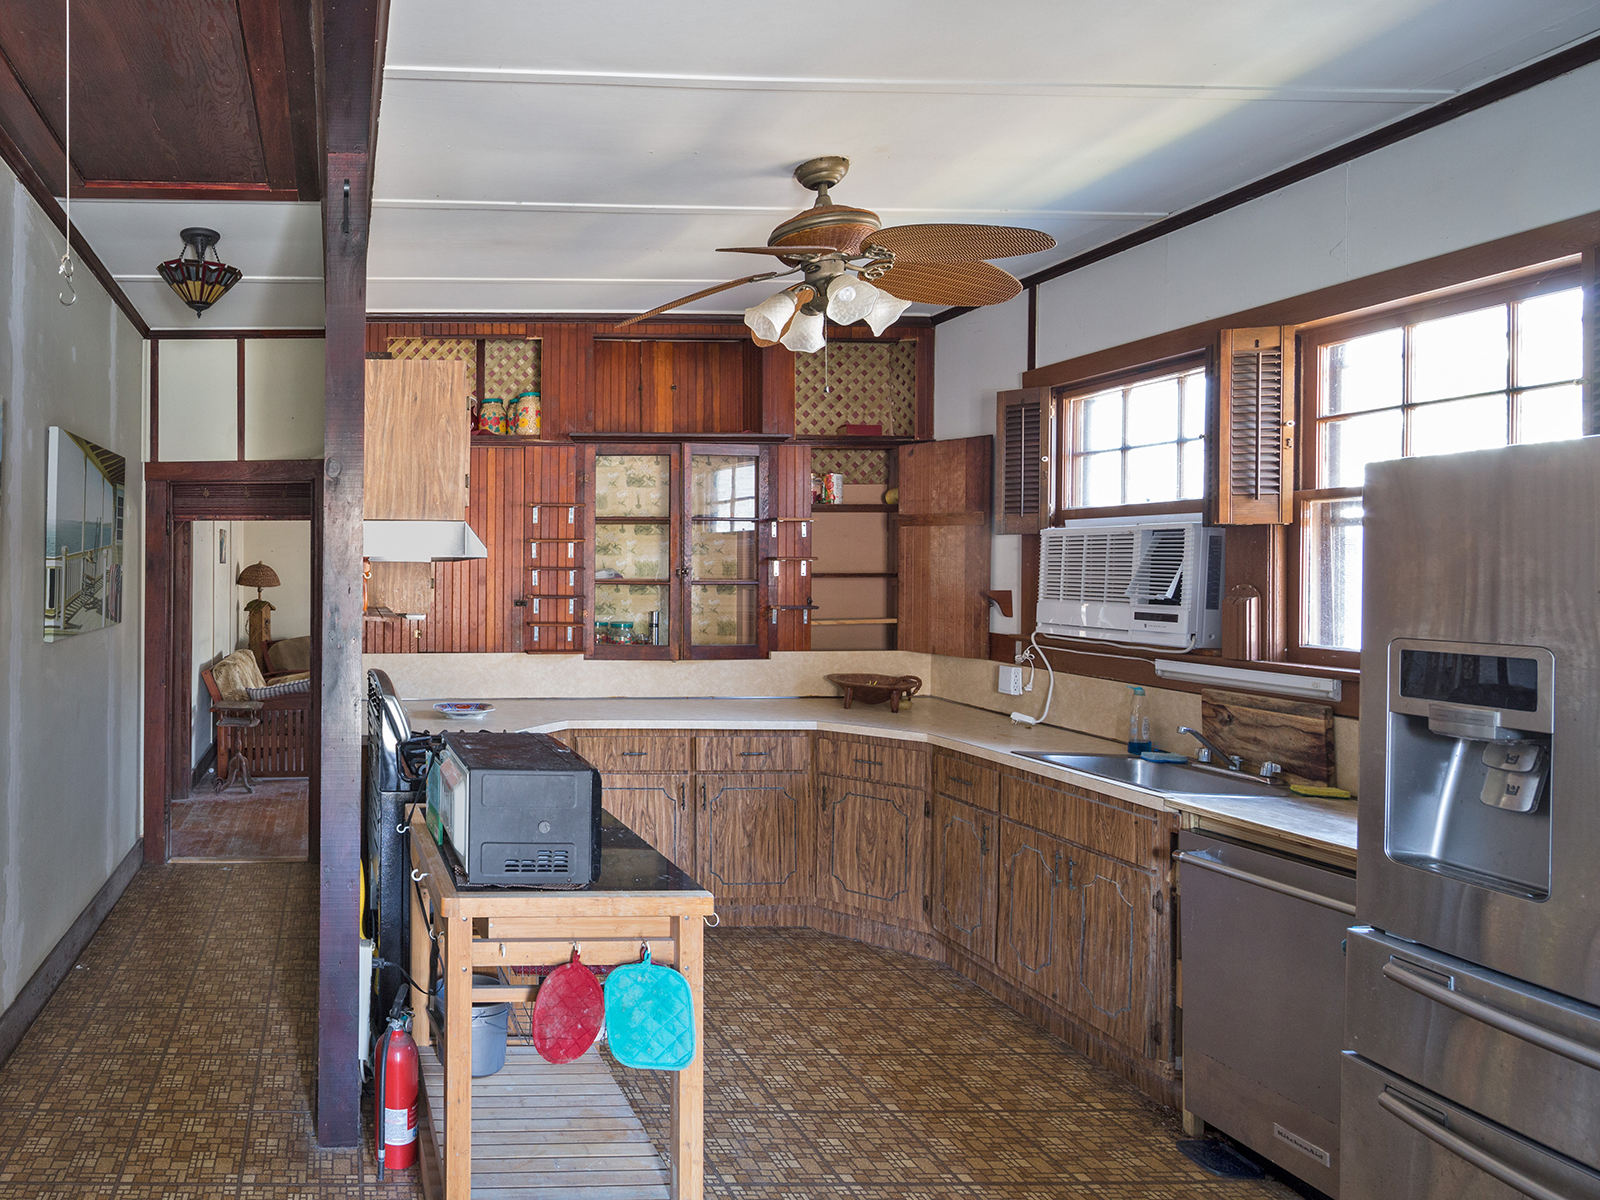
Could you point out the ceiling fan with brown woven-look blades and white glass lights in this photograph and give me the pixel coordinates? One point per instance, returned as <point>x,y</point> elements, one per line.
<point>854,270</point>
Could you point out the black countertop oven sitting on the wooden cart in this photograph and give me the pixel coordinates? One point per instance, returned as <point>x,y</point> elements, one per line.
<point>516,809</point>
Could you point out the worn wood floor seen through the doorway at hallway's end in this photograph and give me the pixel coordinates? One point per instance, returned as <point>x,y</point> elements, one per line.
<point>236,826</point>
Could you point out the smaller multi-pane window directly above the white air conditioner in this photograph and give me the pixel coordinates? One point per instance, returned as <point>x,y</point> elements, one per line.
<point>1140,442</point>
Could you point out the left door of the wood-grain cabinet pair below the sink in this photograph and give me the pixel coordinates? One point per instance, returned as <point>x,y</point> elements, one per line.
<point>1033,876</point>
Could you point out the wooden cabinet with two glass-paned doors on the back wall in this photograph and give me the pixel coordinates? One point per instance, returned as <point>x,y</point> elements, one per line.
<point>678,551</point>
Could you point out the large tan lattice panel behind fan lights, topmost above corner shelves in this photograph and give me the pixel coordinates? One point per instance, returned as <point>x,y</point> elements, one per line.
<point>874,385</point>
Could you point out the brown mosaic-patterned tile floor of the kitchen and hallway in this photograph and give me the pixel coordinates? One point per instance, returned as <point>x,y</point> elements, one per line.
<point>178,1063</point>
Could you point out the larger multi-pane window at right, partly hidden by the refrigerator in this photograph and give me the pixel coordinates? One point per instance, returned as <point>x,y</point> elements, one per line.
<point>1438,380</point>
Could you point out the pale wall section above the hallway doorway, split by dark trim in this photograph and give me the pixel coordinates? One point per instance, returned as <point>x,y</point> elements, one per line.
<point>198,399</point>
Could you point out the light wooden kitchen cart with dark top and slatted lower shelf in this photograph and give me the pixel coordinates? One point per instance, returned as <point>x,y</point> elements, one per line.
<point>550,1130</point>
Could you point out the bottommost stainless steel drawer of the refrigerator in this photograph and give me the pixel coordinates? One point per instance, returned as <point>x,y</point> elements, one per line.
<point>1406,1142</point>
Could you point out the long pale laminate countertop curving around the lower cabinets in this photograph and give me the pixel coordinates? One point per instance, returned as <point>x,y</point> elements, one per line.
<point>1319,828</point>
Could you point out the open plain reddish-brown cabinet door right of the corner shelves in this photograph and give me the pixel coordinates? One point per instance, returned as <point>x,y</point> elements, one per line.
<point>945,546</point>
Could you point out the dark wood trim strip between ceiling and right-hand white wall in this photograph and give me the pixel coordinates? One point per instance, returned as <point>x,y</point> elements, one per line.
<point>1561,63</point>
